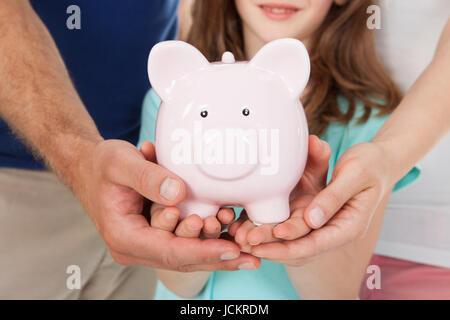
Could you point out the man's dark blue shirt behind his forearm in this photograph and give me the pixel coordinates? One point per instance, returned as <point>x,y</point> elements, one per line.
<point>107,60</point>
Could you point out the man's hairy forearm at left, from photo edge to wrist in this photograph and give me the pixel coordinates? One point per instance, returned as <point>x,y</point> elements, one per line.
<point>37,97</point>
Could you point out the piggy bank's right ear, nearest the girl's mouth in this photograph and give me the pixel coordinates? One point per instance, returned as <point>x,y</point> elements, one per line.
<point>287,58</point>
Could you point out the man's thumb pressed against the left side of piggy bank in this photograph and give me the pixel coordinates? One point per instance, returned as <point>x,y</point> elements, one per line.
<point>154,182</point>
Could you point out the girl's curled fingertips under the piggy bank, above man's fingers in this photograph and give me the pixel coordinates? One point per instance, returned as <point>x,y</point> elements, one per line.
<point>166,218</point>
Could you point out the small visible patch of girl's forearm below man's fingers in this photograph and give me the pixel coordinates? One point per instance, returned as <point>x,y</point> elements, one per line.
<point>185,285</point>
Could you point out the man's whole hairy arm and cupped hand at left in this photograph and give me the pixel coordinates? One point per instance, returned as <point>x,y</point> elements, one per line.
<point>111,178</point>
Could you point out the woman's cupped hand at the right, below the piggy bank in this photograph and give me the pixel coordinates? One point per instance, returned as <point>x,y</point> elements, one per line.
<point>343,210</point>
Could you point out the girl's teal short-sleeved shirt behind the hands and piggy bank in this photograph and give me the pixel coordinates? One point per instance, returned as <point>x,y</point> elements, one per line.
<point>270,281</point>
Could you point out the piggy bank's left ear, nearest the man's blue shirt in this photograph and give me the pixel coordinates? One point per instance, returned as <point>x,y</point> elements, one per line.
<point>169,61</point>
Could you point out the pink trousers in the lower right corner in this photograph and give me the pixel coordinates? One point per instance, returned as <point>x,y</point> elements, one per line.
<point>407,280</point>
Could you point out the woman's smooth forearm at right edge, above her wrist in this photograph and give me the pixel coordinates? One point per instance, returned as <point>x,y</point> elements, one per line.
<point>422,118</point>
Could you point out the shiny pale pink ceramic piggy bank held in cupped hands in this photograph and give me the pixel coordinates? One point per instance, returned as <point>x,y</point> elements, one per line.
<point>235,132</point>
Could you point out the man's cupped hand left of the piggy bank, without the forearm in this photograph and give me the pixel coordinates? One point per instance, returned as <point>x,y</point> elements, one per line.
<point>113,181</point>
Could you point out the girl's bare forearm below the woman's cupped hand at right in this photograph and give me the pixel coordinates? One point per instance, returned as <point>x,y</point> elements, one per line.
<point>337,274</point>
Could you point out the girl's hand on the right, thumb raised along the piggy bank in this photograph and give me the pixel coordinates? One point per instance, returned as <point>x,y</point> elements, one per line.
<point>252,238</point>
